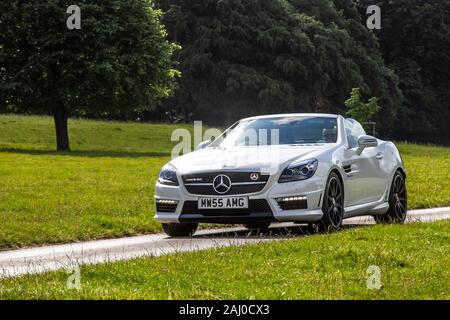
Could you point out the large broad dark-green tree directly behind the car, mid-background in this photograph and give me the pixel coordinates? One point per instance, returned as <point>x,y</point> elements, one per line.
<point>248,57</point>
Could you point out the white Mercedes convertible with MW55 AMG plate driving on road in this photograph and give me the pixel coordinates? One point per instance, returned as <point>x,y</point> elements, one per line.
<point>305,168</point>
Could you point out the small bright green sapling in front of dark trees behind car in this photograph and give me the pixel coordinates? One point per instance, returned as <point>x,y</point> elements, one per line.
<point>358,110</point>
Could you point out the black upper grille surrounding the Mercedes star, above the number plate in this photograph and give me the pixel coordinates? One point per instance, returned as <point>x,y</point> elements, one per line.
<point>202,183</point>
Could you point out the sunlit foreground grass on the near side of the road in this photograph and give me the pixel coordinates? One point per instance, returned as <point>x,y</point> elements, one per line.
<point>413,260</point>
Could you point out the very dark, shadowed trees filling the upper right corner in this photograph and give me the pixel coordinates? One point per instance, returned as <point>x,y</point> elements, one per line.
<point>415,42</point>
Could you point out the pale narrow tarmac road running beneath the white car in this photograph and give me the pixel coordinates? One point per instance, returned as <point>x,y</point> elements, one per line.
<point>42,259</point>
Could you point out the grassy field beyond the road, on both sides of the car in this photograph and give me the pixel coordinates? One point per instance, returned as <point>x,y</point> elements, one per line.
<point>104,187</point>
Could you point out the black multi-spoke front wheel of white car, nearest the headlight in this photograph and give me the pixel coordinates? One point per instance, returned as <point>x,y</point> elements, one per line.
<point>332,207</point>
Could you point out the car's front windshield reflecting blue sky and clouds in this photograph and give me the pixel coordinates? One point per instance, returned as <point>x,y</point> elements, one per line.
<point>289,130</point>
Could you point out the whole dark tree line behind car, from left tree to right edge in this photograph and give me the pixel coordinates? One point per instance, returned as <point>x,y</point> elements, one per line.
<point>246,57</point>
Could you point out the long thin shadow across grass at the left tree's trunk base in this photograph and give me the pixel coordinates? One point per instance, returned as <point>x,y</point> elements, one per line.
<point>91,154</point>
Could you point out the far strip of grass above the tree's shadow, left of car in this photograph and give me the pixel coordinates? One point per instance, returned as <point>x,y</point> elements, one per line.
<point>88,137</point>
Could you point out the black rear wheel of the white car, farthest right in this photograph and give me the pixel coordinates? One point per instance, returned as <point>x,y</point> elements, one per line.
<point>398,202</point>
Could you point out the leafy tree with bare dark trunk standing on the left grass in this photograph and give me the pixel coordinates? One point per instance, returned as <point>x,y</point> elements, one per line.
<point>120,60</point>
